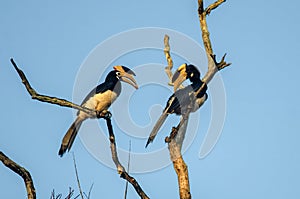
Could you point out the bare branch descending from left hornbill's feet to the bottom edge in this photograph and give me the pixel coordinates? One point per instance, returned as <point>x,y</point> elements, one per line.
<point>121,170</point>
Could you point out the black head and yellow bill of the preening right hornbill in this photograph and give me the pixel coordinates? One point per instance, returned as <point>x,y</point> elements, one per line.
<point>184,72</point>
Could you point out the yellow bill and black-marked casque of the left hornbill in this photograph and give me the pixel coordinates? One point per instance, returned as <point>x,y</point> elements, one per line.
<point>126,75</point>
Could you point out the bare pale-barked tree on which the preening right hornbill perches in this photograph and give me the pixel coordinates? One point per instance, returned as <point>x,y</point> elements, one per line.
<point>175,142</point>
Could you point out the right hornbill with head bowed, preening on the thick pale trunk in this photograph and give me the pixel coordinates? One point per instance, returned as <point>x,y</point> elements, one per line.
<point>185,100</point>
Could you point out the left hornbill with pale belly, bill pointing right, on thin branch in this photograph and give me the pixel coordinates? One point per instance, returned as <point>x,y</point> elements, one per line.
<point>100,99</point>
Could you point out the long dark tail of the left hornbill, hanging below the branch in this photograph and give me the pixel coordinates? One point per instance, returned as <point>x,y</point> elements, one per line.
<point>69,137</point>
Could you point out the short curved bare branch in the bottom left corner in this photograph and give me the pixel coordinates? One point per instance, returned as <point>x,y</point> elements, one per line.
<point>21,171</point>
